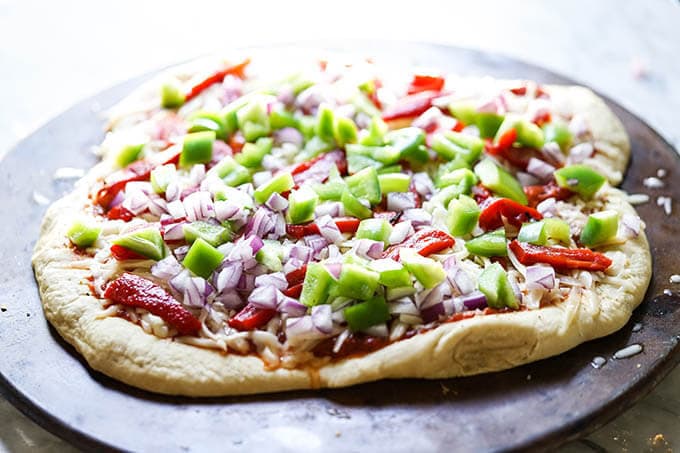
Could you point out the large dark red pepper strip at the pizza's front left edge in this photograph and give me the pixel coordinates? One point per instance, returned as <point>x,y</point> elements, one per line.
<point>134,291</point>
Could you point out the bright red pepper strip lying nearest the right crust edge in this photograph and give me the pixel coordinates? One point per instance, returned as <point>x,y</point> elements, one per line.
<point>560,258</point>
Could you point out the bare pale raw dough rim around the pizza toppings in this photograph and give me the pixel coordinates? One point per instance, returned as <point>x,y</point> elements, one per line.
<point>124,351</point>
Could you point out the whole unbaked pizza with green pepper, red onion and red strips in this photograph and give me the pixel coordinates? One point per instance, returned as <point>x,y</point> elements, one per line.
<point>257,227</point>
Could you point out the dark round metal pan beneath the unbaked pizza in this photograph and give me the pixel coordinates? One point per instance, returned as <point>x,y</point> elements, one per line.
<point>535,407</point>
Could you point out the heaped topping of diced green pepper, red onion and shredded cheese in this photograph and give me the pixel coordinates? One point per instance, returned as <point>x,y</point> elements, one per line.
<point>327,214</point>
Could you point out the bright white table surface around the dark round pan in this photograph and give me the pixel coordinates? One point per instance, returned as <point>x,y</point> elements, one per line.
<point>53,54</point>
